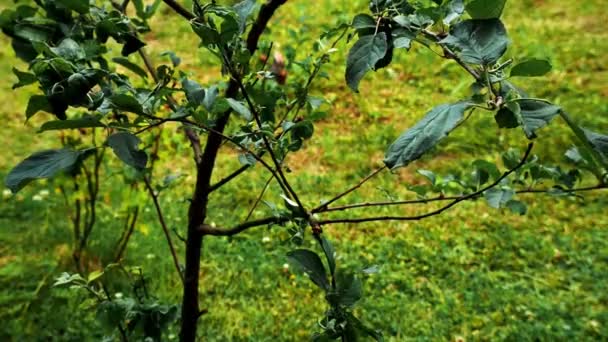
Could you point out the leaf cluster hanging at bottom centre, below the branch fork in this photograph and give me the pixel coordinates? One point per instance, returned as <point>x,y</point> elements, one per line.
<point>342,291</point>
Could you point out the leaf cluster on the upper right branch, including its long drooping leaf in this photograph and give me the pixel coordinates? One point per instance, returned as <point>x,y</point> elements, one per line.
<point>477,39</point>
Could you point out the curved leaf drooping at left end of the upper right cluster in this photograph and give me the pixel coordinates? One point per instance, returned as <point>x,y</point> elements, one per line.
<point>363,56</point>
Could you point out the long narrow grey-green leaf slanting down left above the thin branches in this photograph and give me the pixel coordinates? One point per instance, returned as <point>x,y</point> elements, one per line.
<point>416,141</point>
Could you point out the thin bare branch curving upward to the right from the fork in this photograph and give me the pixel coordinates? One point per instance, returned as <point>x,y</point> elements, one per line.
<point>438,211</point>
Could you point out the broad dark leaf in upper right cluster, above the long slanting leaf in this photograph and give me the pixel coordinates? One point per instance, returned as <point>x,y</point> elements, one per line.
<point>478,41</point>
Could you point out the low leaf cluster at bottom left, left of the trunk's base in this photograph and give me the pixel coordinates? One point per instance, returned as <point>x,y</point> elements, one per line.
<point>137,316</point>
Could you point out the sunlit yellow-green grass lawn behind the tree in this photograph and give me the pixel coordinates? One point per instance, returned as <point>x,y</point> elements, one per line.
<point>473,273</point>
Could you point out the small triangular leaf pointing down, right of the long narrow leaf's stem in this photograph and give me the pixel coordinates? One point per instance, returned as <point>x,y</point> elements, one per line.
<point>535,114</point>
